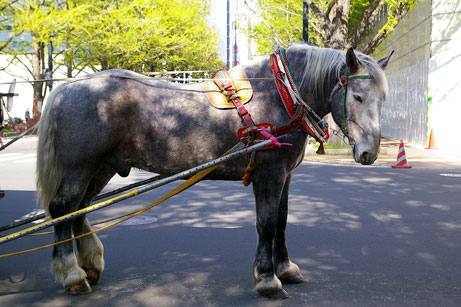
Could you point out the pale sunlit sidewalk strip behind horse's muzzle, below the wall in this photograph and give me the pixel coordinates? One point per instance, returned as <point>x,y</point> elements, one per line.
<point>416,157</point>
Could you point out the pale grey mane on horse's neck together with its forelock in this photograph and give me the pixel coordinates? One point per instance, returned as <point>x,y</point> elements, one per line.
<point>323,68</point>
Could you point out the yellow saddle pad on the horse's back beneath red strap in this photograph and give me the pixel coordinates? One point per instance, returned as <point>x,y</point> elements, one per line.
<point>241,84</point>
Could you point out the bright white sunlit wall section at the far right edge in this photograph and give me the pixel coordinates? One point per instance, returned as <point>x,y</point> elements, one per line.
<point>445,75</point>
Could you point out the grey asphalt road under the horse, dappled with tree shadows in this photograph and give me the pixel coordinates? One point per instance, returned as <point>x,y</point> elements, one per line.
<point>362,236</point>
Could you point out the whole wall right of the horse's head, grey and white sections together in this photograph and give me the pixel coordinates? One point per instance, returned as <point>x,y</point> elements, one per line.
<point>425,87</point>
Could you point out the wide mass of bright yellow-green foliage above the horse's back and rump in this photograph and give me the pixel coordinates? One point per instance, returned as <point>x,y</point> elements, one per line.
<point>131,34</point>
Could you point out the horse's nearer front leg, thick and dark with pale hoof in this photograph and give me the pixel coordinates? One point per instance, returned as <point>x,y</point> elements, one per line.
<point>267,187</point>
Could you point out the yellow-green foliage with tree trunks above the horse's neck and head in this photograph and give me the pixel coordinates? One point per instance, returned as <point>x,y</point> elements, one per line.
<point>285,18</point>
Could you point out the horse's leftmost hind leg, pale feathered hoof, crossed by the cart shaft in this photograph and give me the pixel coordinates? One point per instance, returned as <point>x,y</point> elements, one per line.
<point>64,265</point>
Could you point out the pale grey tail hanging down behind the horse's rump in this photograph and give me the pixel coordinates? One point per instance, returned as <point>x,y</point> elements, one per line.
<point>48,170</point>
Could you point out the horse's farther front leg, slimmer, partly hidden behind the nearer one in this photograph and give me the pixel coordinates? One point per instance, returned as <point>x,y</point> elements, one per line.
<point>286,271</point>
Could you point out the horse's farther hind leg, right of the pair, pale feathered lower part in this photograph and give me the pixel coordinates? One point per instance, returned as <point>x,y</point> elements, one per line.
<point>90,253</point>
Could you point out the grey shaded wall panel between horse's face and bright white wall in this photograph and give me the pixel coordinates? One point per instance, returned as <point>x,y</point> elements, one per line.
<point>405,111</point>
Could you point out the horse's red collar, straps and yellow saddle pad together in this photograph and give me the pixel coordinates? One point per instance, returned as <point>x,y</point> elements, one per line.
<point>301,117</point>
